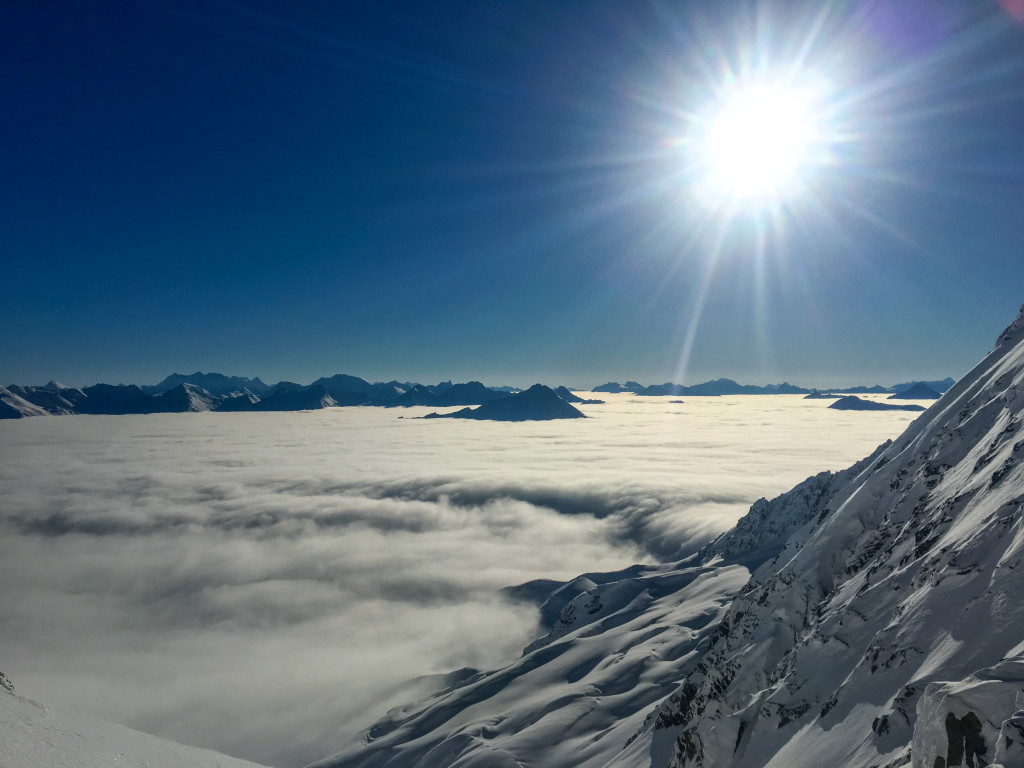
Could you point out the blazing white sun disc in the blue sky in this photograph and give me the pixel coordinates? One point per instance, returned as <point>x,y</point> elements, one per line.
<point>758,142</point>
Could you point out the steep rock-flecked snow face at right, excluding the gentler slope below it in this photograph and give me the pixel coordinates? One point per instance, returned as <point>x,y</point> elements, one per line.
<point>911,577</point>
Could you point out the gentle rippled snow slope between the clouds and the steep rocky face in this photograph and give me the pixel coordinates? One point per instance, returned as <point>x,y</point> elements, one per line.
<point>620,645</point>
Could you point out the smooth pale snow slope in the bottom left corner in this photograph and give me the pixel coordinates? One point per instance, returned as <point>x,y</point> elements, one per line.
<point>34,737</point>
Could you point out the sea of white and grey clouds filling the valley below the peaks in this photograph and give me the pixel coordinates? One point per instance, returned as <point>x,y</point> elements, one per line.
<point>268,585</point>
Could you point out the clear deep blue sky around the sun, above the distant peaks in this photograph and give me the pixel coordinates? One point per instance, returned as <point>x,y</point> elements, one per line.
<point>494,191</point>
